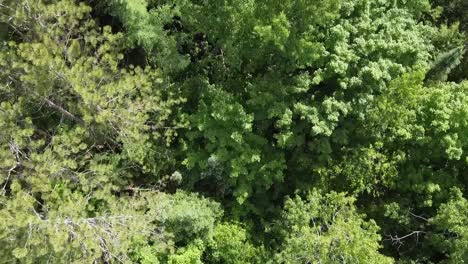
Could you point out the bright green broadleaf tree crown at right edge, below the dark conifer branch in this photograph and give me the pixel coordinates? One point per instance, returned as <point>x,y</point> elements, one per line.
<point>416,128</point>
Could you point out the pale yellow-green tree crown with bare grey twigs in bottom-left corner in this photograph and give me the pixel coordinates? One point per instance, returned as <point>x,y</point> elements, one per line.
<point>64,229</point>
